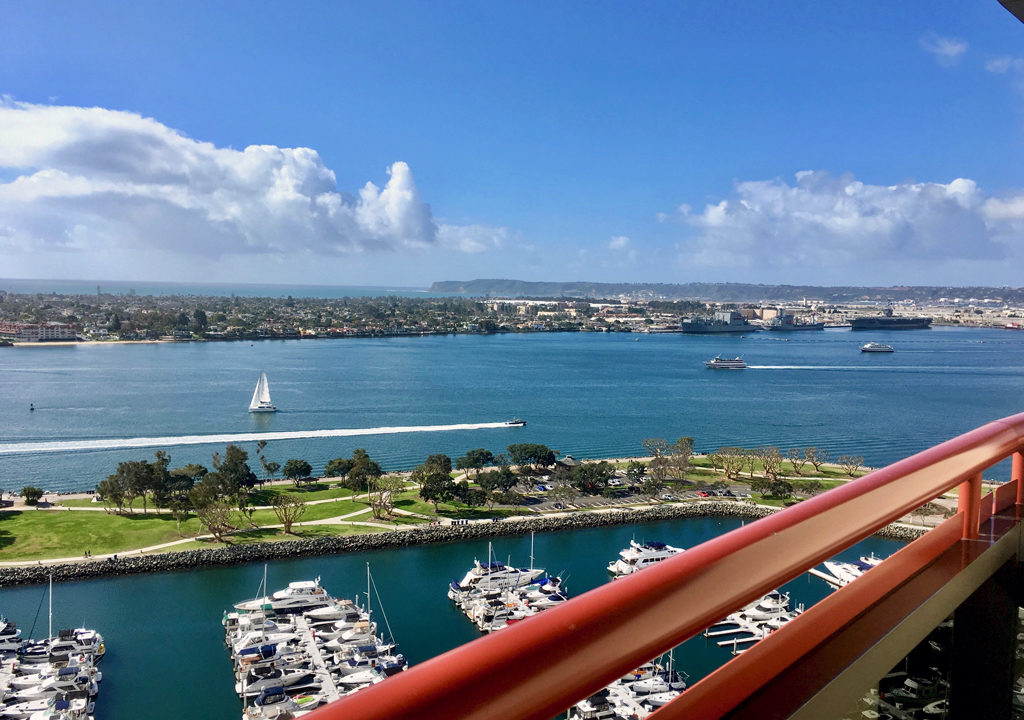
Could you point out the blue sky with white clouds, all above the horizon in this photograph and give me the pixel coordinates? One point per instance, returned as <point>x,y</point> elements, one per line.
<point>872,144</point>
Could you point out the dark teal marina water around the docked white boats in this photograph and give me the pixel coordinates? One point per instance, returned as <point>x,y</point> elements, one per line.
<point>165,642</point>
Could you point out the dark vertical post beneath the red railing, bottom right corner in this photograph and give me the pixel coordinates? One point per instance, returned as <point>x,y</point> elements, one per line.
<point>985,641</point>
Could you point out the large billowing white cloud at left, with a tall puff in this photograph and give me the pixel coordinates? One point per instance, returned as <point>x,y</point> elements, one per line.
<point>90,179</point>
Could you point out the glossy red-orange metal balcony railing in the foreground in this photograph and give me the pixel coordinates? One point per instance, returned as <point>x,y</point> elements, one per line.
<point>537,669</point>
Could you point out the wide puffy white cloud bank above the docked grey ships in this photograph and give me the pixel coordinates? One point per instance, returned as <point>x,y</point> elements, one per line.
<point>825,222</point>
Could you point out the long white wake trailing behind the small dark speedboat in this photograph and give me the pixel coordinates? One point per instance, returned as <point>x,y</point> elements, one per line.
<point>173,441</point>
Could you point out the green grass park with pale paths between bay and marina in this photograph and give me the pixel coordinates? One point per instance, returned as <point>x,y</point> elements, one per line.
<point>73,527</point>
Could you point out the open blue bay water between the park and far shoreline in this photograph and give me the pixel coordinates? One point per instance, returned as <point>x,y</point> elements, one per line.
<point>586,395</point>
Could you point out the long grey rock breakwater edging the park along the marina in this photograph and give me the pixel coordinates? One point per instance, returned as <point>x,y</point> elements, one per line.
<point>421,535</point>
